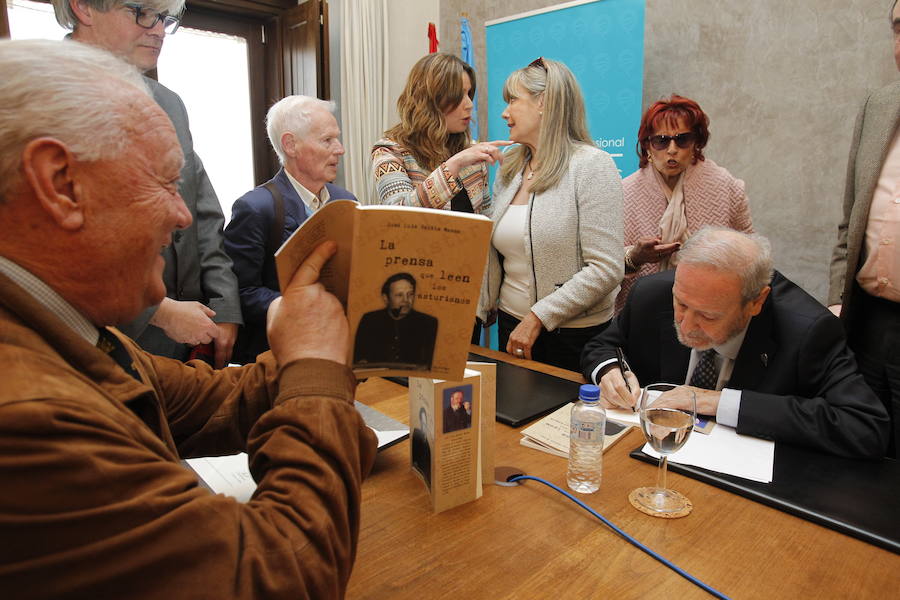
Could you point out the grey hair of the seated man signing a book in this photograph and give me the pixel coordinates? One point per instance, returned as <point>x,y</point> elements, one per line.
<point>749,256</point>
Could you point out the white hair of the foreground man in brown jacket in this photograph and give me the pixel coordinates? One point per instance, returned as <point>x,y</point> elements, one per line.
<point>66,90</point>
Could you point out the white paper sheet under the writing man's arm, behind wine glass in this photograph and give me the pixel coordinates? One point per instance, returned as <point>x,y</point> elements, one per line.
<point>725,451</point>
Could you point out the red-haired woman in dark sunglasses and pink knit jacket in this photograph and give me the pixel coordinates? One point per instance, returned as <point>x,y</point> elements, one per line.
<point>676,191</point>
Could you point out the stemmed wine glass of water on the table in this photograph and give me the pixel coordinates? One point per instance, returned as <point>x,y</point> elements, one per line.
<point>666,429</point>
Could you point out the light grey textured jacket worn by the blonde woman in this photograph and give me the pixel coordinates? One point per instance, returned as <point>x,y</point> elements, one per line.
<point>573,238</point>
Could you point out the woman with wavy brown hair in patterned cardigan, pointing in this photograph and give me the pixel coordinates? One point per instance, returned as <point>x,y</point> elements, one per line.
<point>428,159</point>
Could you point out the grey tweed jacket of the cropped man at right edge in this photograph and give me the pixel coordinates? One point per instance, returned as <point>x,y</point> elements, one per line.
<point>875,127</point>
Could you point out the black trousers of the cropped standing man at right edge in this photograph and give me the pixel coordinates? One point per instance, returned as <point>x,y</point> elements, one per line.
<point>873,332</point>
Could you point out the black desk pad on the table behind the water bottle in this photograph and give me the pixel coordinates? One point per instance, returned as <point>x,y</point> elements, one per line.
<point>524,395</point>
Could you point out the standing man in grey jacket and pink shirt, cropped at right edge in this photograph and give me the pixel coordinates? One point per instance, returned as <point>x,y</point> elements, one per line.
<point>865,265</point>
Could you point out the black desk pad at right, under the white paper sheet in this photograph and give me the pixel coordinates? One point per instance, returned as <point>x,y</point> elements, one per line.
<point>856,497</point>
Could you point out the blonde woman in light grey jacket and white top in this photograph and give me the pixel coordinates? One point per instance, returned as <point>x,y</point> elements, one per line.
<point>555,261</point>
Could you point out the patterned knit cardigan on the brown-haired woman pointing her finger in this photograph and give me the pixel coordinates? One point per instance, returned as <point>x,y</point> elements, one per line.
<point>400,180</point>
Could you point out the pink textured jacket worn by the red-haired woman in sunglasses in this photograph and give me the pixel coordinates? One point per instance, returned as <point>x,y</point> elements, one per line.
<point>712,196</point>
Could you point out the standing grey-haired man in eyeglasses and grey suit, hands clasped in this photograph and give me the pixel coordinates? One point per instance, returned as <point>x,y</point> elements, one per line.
<point>201,304</point>
